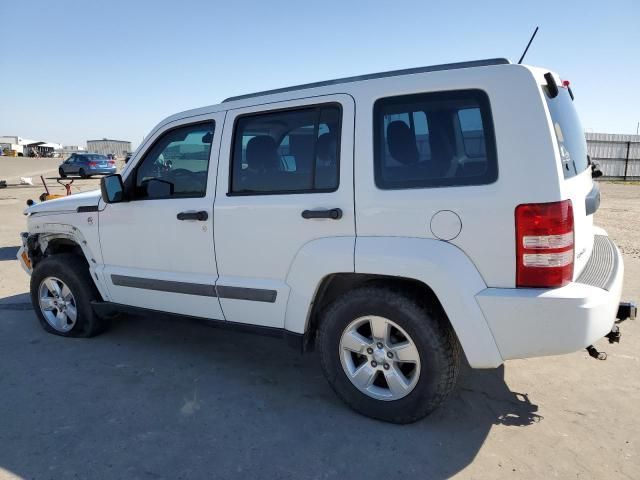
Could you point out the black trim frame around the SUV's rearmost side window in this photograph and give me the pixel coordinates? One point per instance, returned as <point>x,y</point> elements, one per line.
<point>488,129</point>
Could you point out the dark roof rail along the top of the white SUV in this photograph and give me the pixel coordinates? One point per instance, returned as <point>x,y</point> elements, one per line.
<point>371,76</point>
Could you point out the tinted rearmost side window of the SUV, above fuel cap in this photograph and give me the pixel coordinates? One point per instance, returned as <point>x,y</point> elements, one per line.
<point>434,140</point>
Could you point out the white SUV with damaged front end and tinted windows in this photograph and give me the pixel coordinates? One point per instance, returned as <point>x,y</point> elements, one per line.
<point>394,220</point>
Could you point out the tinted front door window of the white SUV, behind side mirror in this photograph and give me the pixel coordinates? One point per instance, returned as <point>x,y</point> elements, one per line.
<point>177,165</point>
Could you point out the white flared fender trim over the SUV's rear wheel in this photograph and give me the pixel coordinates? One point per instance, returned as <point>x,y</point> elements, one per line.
<point>431,269</point>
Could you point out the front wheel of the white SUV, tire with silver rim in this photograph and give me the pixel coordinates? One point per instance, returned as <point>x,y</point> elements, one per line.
<point>61,293</point>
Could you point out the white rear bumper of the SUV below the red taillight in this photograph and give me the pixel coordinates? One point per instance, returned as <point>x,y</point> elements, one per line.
<point>537,322</point>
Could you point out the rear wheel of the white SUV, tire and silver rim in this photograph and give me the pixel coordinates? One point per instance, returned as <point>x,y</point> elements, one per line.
<point>388,355</point>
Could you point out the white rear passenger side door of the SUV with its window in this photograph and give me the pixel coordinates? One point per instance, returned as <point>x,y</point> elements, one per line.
<point>285,179</point>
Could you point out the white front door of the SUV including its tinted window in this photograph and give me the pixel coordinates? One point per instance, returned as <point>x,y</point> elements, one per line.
<point>157,247</point>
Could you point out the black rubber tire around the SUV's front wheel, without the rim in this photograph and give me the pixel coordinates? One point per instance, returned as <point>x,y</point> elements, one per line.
<point>74,272</point>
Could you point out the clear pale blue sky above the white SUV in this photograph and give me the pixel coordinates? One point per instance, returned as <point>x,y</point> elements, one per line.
<point>77,70</point>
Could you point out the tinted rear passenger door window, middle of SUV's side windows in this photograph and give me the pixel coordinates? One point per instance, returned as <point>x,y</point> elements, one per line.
<point>290,151</point>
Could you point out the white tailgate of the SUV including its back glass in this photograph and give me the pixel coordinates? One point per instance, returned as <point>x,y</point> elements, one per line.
<point>577,184</point>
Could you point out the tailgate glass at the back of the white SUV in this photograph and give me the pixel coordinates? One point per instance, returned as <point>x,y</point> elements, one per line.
<point>569,133</point>
